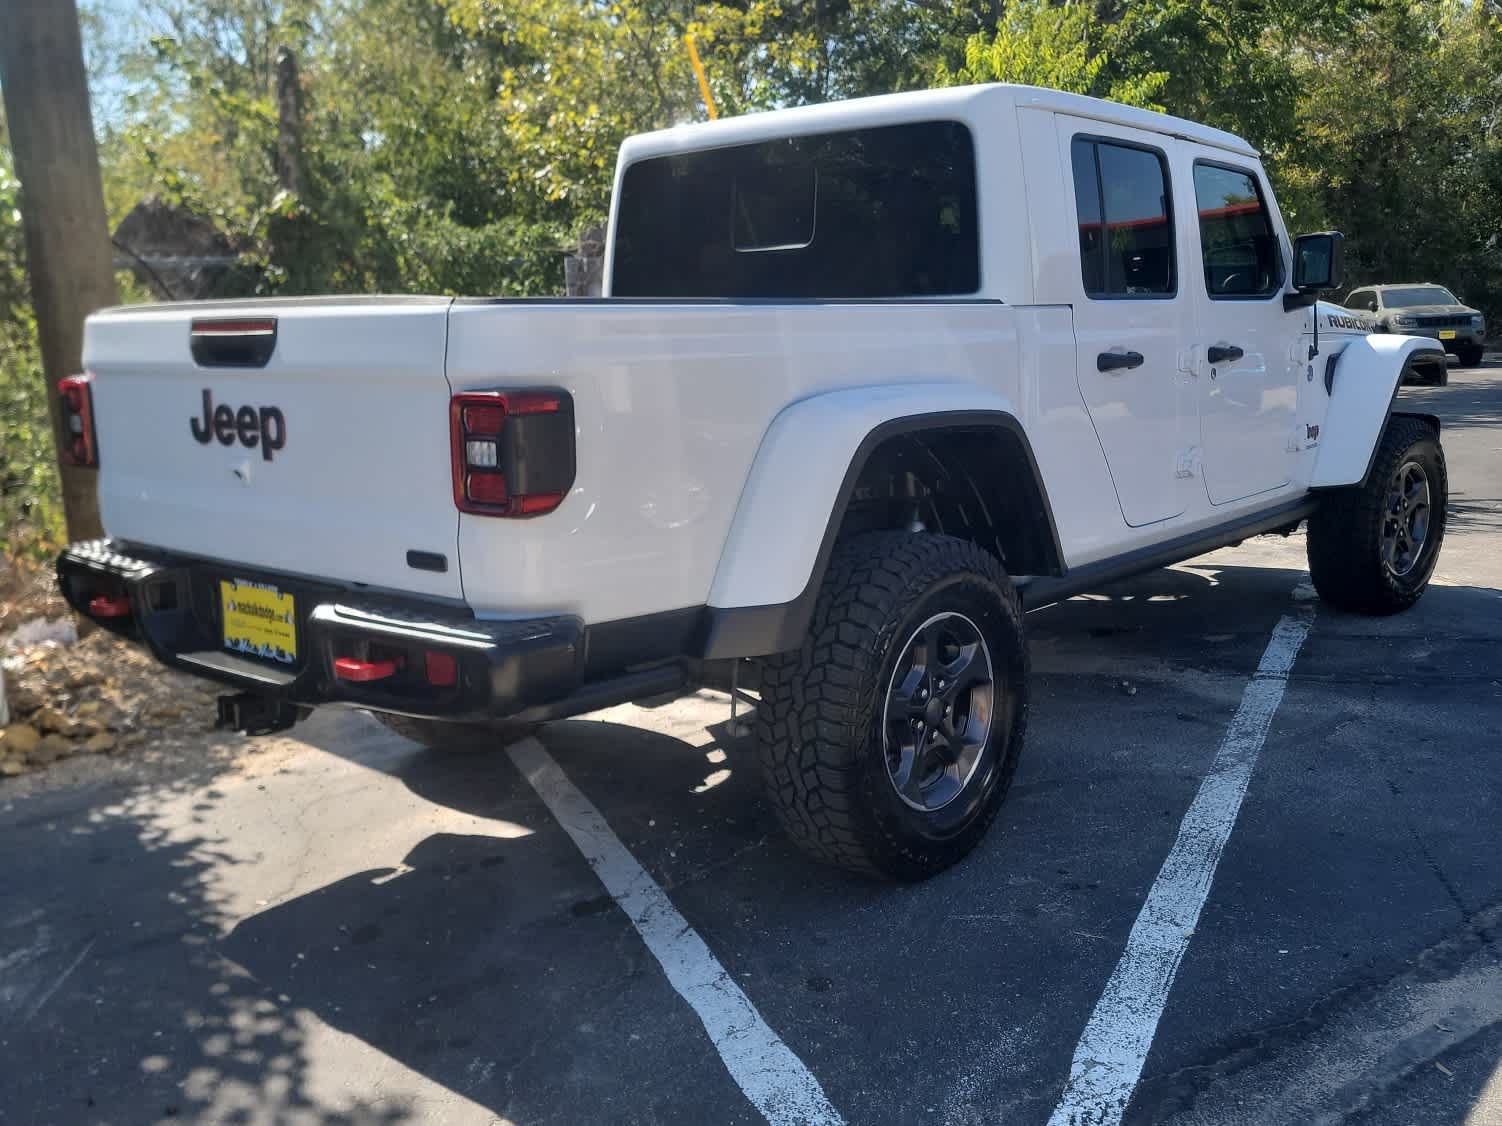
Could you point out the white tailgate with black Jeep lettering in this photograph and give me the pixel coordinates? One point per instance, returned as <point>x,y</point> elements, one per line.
<point>337,465</point>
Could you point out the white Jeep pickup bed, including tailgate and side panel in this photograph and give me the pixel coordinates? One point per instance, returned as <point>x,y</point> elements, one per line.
<point>671,399</point>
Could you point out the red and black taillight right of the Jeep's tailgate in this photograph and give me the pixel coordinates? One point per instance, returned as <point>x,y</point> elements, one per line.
<point>513,451</point>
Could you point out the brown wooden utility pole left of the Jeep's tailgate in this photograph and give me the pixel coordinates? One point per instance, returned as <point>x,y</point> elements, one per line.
<point>62,203</point>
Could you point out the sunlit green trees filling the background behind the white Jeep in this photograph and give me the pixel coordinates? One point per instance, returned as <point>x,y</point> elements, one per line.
<point>459,146</point>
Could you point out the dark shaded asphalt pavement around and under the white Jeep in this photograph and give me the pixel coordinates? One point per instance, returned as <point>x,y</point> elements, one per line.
<point>499,971</point>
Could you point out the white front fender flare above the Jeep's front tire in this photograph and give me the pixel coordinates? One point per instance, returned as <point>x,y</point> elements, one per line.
<point>1363,391</point>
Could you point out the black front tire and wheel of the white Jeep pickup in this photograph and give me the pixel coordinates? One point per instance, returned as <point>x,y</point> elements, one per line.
<point>1374,547</point>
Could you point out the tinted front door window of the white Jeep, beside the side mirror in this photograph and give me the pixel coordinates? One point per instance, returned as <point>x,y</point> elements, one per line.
<point>1241,251</point>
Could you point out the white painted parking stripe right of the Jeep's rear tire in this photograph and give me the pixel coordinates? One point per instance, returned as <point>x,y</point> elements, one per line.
<point>1109,1058</point>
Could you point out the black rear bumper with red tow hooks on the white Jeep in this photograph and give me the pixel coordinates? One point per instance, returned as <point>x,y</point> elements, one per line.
<point>499,669</point>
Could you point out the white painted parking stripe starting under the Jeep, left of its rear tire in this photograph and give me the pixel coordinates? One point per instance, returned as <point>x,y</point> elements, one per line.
<point>765,1068</point>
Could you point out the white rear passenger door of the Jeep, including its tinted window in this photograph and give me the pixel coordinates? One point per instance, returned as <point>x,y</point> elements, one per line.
<point>1130,313</point>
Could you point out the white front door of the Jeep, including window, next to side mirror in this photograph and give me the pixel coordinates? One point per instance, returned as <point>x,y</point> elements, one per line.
<point>1246,342</point>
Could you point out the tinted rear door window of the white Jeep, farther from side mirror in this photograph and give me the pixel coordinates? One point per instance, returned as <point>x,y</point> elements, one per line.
<point>1121,199</point>
